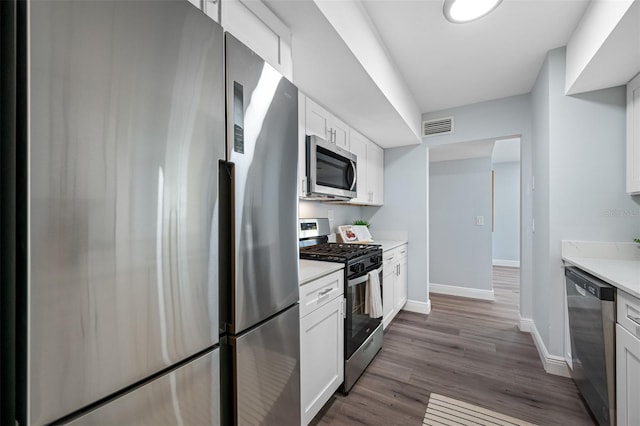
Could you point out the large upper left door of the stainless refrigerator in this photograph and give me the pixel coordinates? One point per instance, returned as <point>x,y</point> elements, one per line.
<point>126,127</point>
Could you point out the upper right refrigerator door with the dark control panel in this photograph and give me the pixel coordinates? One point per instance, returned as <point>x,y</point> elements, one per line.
<point>262,131</point>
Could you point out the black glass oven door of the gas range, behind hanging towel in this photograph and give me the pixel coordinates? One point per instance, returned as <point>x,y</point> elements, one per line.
<point>358,325</point>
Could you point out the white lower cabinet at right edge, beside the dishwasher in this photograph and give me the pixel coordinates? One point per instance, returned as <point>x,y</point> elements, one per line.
<point>628,360</point>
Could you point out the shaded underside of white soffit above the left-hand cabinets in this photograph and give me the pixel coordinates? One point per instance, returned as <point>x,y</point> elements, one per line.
<point>327,70</point>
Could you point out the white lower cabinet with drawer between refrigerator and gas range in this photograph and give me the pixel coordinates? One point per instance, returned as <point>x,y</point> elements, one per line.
<point>321,342</point>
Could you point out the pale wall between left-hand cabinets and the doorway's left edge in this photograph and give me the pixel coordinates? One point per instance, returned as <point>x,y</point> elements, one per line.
<point>406,180</point>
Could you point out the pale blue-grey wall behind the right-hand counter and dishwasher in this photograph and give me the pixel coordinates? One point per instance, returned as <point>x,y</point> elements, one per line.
<point>579,166</point>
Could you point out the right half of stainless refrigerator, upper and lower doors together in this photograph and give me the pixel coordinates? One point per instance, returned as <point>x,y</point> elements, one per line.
<point>259,285</point>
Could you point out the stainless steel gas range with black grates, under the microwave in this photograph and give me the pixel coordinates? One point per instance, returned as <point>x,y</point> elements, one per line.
<point>362,333</point>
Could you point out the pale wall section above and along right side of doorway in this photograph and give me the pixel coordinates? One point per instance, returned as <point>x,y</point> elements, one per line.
<point>500,119</point>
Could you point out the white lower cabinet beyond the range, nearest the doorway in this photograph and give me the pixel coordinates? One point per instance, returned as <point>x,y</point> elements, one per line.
<point>394,283</point>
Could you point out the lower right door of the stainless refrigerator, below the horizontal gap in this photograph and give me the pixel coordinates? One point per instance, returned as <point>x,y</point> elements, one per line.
<point>267,368</point>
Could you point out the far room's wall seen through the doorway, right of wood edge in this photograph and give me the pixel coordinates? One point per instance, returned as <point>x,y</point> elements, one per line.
<point>506,211</point>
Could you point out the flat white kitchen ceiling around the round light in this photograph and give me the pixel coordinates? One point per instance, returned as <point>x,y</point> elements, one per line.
<point>448,65</point>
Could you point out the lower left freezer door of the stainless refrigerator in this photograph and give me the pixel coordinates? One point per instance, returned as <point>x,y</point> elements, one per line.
<point>188,395</point>
